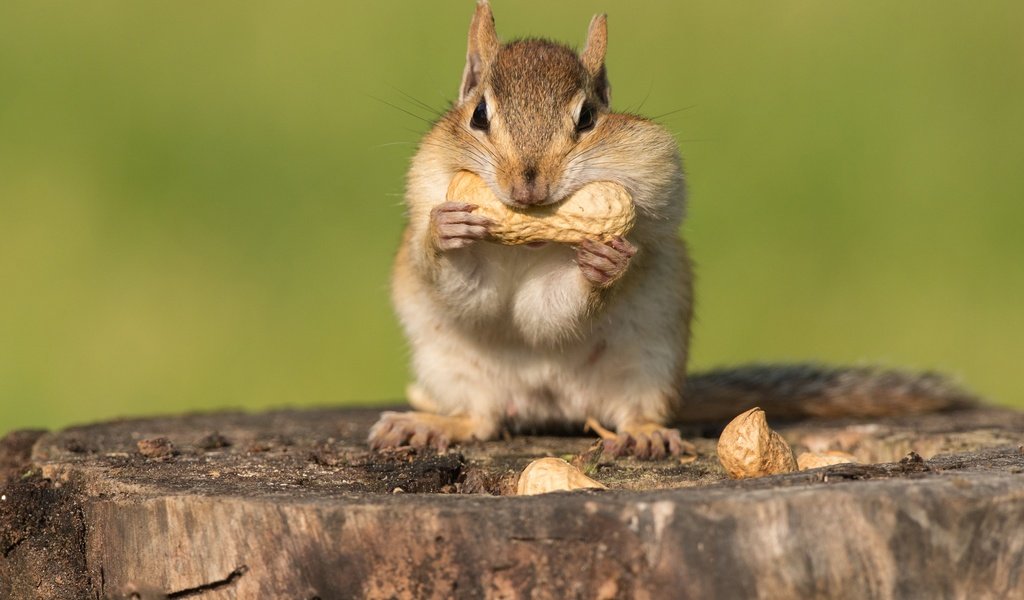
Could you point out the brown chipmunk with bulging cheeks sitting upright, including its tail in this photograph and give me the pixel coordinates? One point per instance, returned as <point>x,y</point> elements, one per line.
<point>546,335</point>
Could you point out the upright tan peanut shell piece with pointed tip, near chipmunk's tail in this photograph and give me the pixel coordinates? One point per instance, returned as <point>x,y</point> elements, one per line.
<point>748,448</point>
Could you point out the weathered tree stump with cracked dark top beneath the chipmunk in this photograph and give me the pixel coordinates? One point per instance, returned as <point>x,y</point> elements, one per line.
<point>291,505</point>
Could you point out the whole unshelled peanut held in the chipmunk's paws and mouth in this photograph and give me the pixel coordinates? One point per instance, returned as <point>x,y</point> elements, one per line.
<point>600,210</point>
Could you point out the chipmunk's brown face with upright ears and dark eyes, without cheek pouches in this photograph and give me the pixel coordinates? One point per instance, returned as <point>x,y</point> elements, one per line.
<point>529,109</point>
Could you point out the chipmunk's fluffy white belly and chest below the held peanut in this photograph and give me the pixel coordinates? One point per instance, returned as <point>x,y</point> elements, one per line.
<point>524,350</point>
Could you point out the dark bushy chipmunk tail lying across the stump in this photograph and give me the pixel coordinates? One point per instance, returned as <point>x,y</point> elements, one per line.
<point>801,392</point>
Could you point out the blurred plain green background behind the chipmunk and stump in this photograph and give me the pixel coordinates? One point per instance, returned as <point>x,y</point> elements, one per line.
<point>199,202</point>
